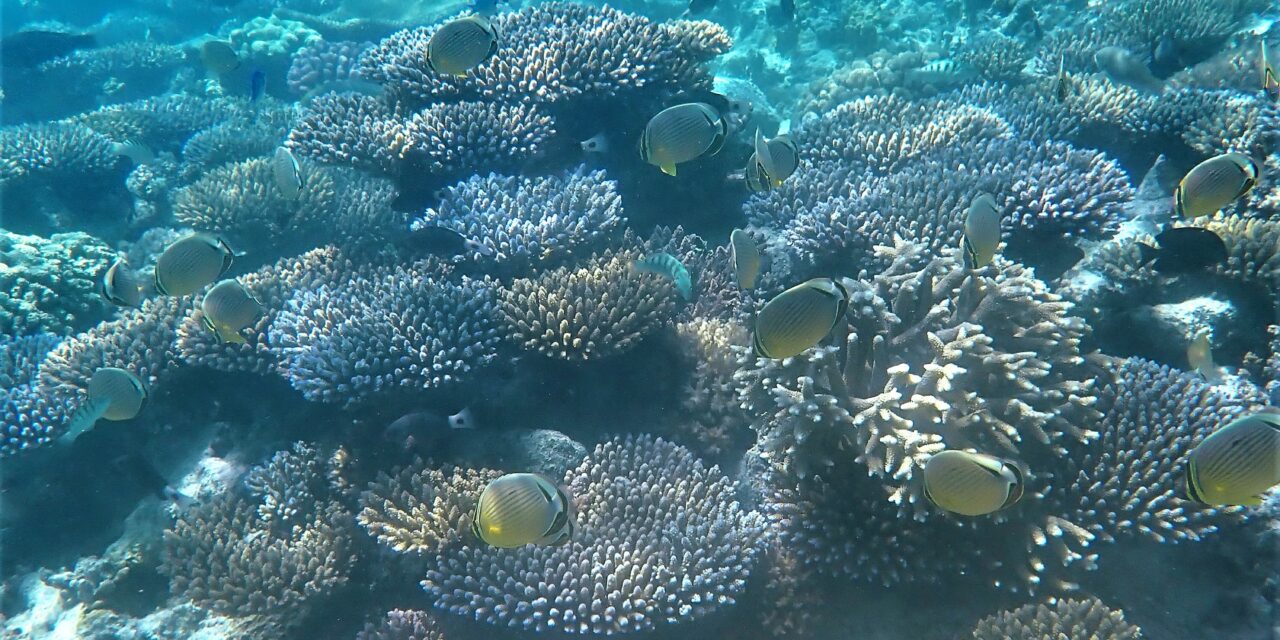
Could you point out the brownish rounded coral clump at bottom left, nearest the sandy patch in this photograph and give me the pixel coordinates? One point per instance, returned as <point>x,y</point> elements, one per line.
<point>226,556</point>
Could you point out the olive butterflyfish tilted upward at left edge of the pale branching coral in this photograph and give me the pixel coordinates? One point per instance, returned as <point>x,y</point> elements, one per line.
<point>799,318</point>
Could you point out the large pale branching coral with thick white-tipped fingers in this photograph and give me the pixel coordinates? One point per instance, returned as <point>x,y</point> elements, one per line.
<point>936,356</point>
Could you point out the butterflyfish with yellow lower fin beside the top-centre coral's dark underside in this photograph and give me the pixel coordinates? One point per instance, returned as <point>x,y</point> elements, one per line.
<point>682,134</point>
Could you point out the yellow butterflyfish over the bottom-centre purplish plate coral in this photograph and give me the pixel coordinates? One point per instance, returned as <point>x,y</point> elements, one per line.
<point>524,509</point>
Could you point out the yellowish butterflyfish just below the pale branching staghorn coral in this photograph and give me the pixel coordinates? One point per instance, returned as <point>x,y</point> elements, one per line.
<point>972,484</point>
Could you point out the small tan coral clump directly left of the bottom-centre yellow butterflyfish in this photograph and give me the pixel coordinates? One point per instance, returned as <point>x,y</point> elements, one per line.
<point>420,510</point>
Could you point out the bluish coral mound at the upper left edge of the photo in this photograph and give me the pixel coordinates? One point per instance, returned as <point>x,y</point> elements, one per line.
<point>53,150</point>
